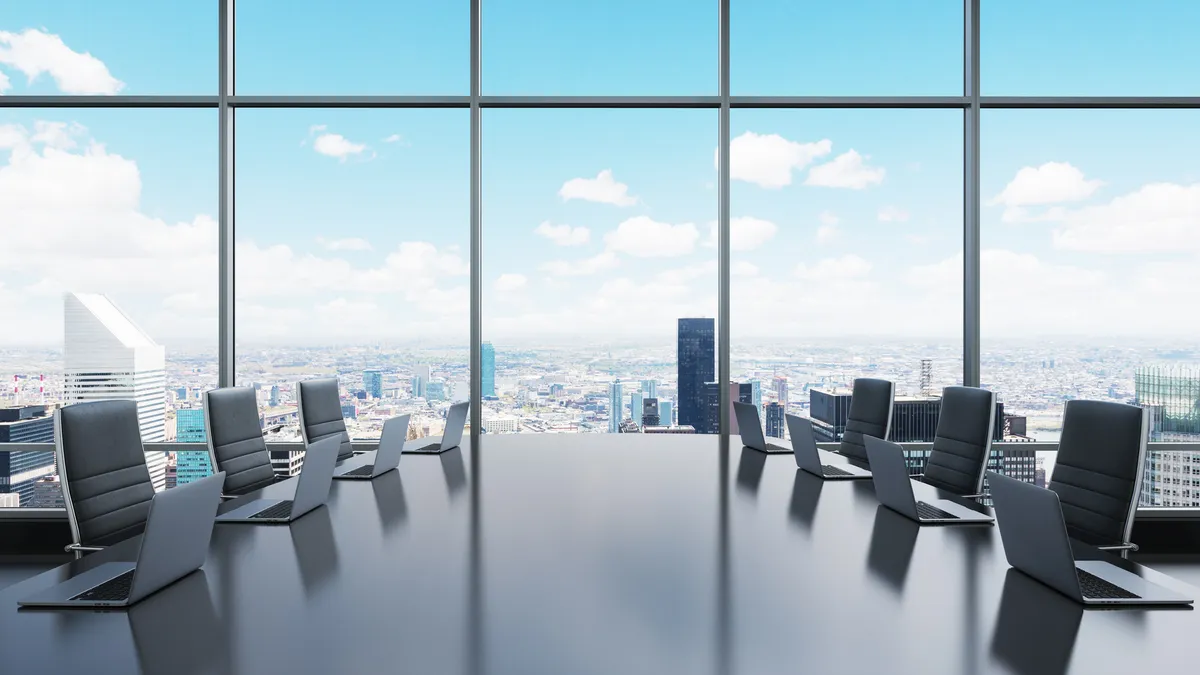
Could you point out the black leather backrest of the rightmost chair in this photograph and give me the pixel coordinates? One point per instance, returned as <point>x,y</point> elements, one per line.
<point>1097,475</point>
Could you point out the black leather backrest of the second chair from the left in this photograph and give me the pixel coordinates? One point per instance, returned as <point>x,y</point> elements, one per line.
<point>236,440</point>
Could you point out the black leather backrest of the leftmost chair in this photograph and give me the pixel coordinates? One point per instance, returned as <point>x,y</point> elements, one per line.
<point>103,470</point>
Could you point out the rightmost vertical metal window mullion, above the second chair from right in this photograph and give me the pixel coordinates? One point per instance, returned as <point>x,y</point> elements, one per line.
<point>971,271</point>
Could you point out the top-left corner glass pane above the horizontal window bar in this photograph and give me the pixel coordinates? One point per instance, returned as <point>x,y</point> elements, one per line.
<point>109,49</point>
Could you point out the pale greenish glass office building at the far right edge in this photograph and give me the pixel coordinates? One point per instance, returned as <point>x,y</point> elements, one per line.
<point>1173,396</point>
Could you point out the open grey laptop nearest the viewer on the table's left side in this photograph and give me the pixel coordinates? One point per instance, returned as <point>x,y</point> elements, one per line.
<point>175,545</point>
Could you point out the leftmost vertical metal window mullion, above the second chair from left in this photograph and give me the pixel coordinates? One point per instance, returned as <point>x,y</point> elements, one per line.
<point>226,326</point>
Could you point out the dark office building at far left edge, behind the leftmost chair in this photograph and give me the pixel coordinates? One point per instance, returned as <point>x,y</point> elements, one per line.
<point>21,471</point>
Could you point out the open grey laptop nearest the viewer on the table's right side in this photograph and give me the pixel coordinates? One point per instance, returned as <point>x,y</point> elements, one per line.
<point>1036,542</point>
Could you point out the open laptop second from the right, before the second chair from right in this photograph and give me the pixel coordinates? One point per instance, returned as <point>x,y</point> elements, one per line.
<point>893,488</point>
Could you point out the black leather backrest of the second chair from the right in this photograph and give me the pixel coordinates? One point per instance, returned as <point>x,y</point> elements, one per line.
<point>963,441</point>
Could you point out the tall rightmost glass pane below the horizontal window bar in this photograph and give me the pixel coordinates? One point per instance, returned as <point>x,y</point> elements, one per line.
<point>1089,266</point>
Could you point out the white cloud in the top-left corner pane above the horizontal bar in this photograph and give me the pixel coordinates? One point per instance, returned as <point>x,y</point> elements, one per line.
<point>35,53</point>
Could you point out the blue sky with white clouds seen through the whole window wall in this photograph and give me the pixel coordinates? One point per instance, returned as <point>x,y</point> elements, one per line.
<point>598,225</point>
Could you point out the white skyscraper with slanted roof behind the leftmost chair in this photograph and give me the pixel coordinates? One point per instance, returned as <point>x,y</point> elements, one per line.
<point>109,357</point>
